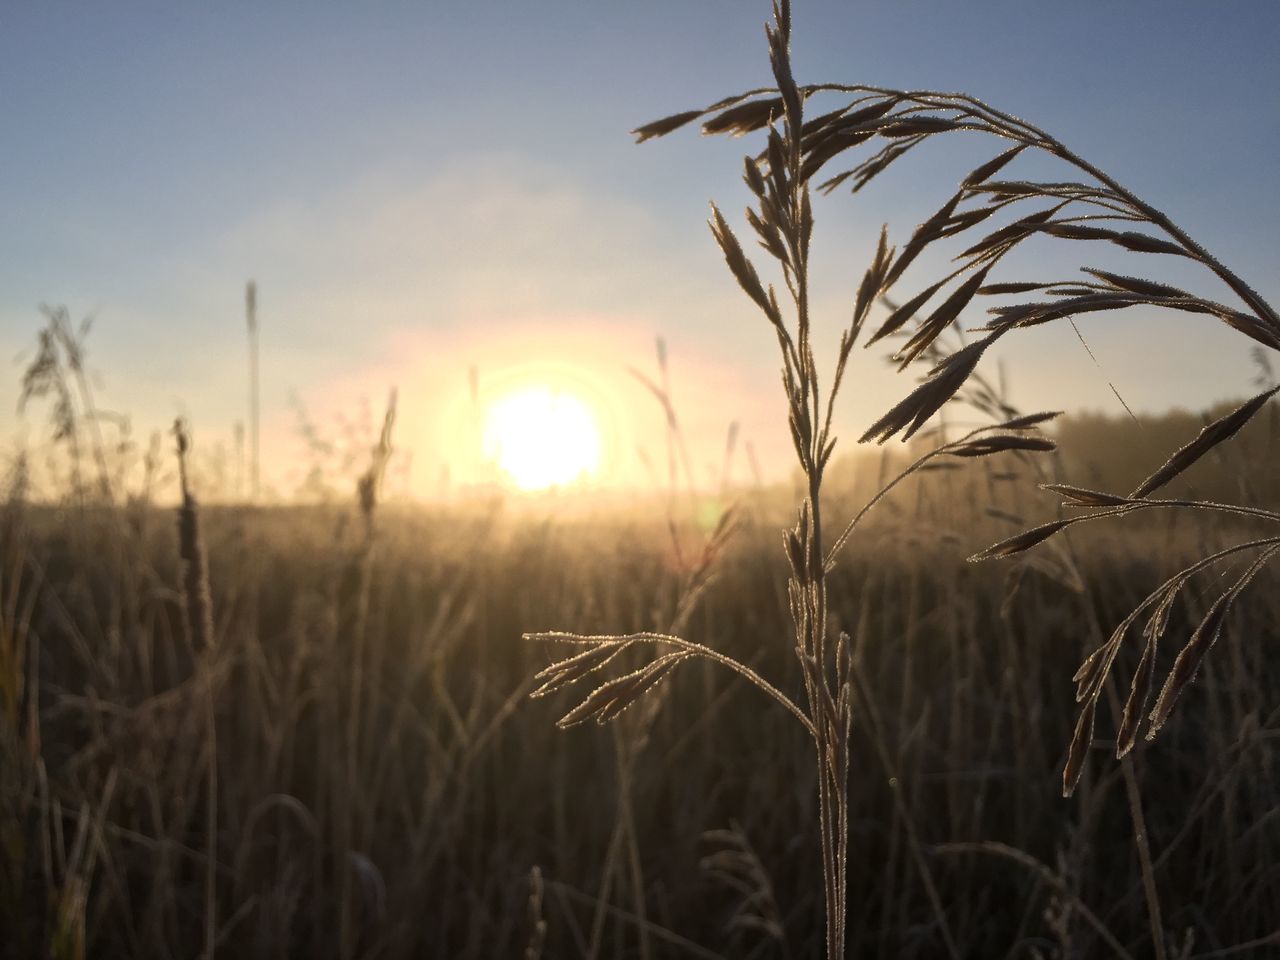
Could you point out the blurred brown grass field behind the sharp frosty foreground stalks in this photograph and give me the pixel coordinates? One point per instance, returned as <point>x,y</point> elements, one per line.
<point>354,767</point>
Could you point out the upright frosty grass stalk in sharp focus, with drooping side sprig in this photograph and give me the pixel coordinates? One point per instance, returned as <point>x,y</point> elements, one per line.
<point>783,218</point>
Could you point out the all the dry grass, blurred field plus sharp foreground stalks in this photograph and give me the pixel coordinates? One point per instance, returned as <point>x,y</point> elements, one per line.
<point>301,733</point>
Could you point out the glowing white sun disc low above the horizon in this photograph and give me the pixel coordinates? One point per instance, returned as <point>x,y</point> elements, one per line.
<point>542,438</point>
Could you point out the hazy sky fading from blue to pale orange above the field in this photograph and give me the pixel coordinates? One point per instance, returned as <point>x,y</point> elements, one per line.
<point>422,189</point>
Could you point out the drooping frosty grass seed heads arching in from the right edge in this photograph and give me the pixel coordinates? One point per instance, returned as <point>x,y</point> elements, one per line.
<point>1095,211</point>
